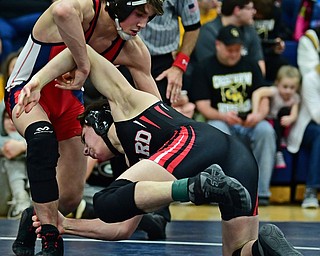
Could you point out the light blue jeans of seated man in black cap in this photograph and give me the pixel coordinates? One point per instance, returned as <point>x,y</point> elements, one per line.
<point>262,140</point>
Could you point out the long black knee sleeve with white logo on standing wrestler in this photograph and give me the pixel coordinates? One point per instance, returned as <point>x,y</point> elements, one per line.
<point>42,159</point>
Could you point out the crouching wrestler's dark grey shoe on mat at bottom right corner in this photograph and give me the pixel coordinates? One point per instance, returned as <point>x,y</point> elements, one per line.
<point>272,242</point>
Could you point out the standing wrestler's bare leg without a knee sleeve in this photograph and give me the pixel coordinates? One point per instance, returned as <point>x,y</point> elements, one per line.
<point>71,167</point>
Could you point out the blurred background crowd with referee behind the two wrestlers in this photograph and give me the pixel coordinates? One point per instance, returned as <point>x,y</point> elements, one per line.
<point>218,83</point>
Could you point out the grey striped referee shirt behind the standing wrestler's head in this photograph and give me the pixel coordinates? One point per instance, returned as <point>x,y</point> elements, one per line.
<point>162,35</point>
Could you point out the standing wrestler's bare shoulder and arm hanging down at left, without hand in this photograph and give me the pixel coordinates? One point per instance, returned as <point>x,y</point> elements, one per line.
<point>65,21</point>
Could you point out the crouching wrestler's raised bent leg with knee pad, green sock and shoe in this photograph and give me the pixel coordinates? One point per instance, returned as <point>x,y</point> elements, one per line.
<point>146,187</point>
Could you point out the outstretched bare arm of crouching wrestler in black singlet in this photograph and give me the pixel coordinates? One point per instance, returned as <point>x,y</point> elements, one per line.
<point>124,100</point>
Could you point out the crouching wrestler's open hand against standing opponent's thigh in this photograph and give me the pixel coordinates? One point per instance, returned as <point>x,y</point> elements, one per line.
<point>28,97</point>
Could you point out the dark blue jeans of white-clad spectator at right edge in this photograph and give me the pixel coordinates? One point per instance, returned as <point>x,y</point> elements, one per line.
<point>311,143</point>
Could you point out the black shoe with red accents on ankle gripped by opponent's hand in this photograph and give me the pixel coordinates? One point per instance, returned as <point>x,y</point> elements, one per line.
<point>52,242</point>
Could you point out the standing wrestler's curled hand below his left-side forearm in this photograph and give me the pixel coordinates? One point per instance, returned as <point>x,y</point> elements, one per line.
<point>72,80</point>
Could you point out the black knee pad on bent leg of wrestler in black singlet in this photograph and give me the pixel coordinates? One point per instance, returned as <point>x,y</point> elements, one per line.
<point>116,202</point>
